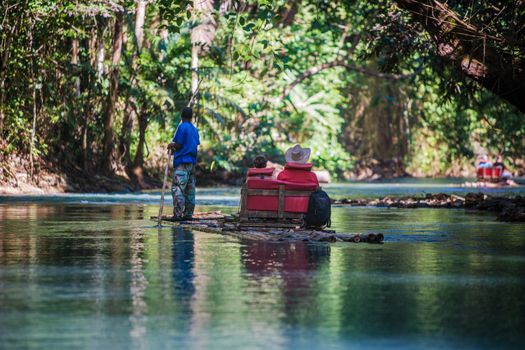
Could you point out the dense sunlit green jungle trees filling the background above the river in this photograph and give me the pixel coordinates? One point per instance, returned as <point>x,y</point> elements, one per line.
<point>383,88</point>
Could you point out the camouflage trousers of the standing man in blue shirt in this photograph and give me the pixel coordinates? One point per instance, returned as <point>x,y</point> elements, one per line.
<point>183,190</point>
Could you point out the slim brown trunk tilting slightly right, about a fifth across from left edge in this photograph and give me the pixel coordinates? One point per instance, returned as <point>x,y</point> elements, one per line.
<point>109,115</point>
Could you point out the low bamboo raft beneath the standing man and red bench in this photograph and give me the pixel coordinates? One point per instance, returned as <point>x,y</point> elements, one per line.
<point>267,229</point>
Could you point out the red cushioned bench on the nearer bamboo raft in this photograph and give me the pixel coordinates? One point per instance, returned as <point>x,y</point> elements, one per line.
<point>264,197</point>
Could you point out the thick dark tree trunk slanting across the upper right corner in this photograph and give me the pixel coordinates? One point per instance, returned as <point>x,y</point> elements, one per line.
<point>470,50</point>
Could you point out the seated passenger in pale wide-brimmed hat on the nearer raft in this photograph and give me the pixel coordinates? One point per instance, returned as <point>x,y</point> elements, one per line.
<point>297,169</point>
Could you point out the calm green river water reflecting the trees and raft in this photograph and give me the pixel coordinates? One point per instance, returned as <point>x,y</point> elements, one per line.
<point>91,271</point>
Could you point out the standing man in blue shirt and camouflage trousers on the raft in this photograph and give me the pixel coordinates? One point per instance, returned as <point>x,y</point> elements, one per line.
<point>184,147</point>
